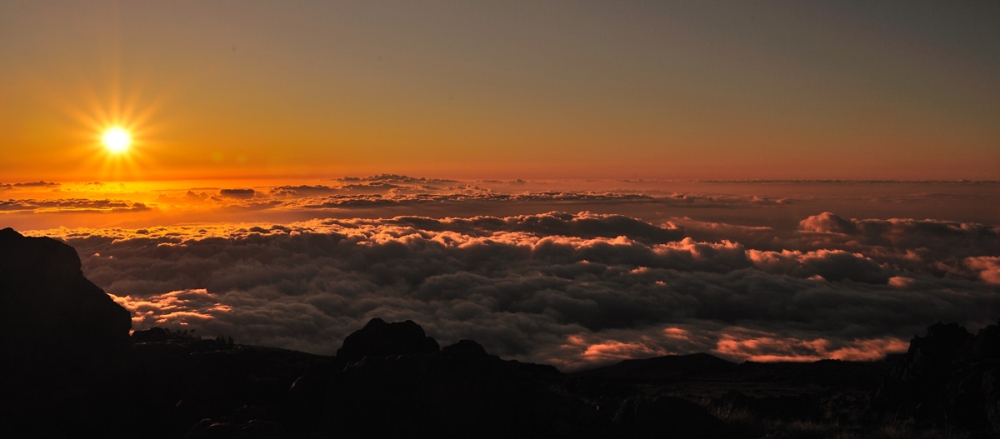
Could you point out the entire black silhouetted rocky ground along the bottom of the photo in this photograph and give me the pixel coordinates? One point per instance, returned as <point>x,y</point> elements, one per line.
<point>71,369</point>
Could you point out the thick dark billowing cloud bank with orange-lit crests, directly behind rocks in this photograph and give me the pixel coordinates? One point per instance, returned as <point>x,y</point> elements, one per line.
<point>567,289</point>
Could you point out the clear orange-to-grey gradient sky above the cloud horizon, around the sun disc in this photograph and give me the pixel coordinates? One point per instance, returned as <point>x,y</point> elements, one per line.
<point>239,89</point>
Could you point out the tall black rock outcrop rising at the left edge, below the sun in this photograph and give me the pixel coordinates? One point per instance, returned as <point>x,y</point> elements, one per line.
<point>48,308</point>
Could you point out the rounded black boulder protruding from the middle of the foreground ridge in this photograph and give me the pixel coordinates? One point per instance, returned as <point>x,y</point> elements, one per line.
<point>379,339</point>
